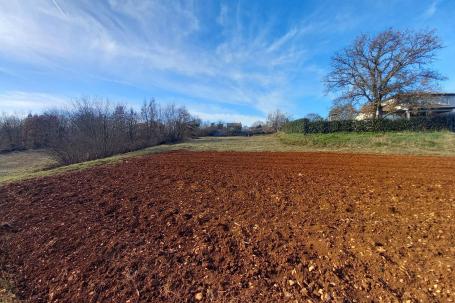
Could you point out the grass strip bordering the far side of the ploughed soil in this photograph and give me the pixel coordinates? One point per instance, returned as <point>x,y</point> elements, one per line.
<point>31,164</point>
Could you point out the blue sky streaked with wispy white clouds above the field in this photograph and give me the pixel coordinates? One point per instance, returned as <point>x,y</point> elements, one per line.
<point>223,60</point>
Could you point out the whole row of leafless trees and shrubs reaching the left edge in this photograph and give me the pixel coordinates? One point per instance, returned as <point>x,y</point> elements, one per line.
<point>94,129</point>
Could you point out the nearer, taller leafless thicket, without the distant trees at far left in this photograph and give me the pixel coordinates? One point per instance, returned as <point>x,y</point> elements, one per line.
<point>93,129</point>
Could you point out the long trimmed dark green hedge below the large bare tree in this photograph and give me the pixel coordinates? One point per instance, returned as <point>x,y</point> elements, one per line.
<point>380,125</point>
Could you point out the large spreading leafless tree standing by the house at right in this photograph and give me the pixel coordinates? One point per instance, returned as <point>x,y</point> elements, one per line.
<point>389,65</point>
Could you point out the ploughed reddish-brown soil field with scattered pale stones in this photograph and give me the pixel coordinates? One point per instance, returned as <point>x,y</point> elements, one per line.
<point>235,227</point>
